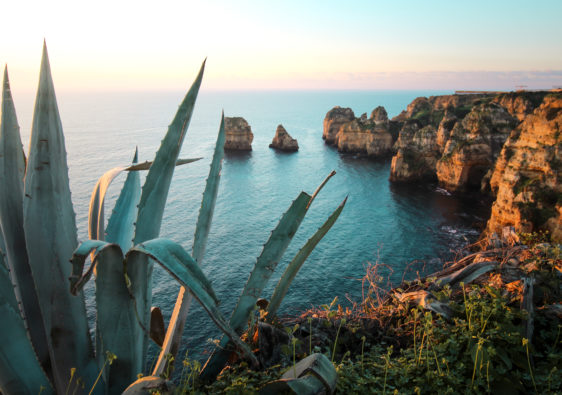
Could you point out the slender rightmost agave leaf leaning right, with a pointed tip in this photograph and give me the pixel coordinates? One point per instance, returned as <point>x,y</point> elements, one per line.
<point>295,265</point>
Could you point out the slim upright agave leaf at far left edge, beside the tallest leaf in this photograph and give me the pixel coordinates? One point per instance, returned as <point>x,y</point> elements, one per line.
<point>12,170</point>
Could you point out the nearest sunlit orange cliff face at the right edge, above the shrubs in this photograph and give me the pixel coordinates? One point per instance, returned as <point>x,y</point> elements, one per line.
<point>526,178</point>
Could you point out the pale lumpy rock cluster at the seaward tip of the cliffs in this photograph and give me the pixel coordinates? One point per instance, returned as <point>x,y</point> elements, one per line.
<point>369,136</point>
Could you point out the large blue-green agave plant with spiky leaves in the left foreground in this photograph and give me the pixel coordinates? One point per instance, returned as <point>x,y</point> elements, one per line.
<point>46,345</point>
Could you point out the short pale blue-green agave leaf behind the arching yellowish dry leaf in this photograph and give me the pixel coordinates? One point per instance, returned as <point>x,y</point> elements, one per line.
<point>120,227</point>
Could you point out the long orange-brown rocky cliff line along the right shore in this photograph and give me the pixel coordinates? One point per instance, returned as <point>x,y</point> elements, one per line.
<point>507,145</point>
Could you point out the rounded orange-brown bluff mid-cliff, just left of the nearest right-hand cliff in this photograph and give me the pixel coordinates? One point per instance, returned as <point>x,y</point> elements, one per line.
<point>473,147</point>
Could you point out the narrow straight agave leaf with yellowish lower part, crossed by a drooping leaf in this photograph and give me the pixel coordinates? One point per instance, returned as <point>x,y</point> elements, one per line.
<point>183,301</point>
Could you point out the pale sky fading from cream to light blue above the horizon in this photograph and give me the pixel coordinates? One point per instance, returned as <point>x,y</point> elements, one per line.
<point>291,44</point>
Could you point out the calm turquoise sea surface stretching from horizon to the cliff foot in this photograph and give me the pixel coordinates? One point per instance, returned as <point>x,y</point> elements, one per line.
<point>381,223</point>
